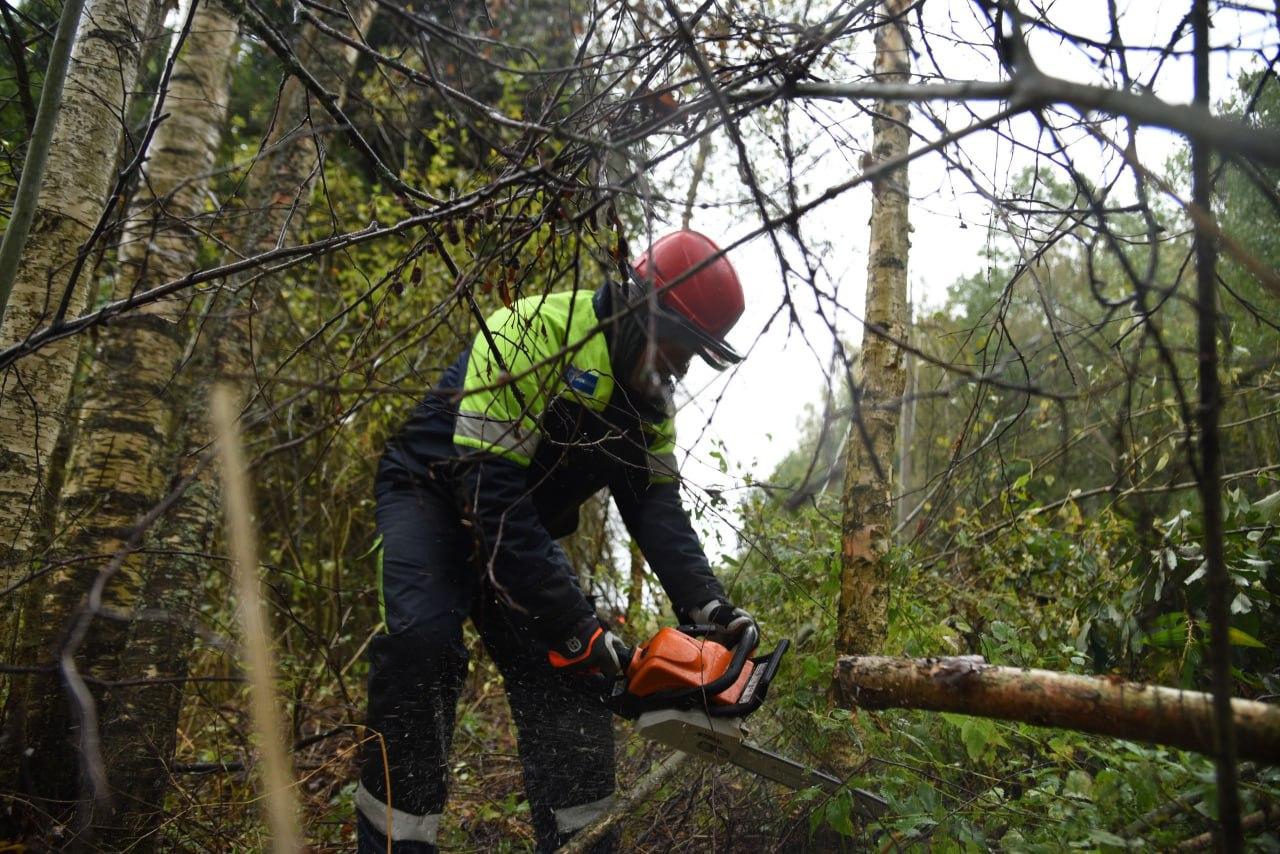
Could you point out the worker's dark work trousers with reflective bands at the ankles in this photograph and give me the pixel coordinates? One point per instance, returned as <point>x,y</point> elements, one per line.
<point>431,584</point>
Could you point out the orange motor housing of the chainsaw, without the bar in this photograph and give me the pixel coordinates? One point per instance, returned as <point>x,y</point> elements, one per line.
<point>674,661</point>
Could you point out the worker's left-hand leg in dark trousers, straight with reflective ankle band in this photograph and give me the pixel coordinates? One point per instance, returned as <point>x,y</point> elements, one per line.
<point>417,672</point>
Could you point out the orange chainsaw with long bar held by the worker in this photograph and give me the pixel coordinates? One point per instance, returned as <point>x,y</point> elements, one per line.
<point>693,695</point>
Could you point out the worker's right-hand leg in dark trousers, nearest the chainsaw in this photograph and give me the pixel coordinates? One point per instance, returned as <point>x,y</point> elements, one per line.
<point>566,739</point>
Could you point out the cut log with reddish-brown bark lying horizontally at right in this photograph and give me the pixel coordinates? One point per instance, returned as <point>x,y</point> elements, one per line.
<point>1104,706</point>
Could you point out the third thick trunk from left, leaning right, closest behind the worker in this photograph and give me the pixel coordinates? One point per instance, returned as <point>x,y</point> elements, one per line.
<point>143,720</point>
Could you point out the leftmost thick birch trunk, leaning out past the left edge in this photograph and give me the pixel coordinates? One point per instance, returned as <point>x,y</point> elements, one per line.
<point>81,170</point>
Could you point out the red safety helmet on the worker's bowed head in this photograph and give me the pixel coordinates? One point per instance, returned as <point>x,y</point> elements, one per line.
<point>698,293</point>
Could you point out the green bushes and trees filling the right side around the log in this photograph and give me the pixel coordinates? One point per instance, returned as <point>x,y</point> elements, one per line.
<point>1048,535</point>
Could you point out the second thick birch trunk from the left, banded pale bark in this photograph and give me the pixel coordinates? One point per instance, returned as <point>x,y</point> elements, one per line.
<point>122,460</point>
